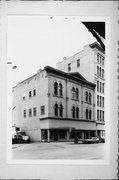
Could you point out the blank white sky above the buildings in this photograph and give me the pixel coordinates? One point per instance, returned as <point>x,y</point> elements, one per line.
<point>34,42</point>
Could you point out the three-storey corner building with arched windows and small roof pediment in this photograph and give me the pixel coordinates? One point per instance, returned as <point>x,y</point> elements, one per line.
<point>53,105</point>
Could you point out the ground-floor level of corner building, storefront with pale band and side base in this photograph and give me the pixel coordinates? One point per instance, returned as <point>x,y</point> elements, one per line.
<point>65,130</point>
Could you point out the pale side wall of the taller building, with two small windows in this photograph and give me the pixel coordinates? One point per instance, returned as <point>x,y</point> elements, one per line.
<point>84,62</point>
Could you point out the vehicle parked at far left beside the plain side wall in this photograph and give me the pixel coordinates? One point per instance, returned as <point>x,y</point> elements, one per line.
<point>20,137</point>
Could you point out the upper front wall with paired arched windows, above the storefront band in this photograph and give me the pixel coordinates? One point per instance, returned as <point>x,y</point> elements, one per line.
<point>67,99</point>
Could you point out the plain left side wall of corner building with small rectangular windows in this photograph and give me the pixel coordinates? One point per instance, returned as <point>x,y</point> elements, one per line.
<point>29,94</point>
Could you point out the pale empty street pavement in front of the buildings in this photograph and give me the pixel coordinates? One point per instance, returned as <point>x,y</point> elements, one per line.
<point>58,150</point>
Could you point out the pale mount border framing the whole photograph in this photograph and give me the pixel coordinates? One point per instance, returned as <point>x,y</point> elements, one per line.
<point>87,10</point>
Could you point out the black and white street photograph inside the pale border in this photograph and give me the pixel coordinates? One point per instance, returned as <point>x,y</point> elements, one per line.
<point>58,91</point>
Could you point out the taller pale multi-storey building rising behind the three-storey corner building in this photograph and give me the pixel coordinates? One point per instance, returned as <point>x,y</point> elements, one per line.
<point>90,62</point>
